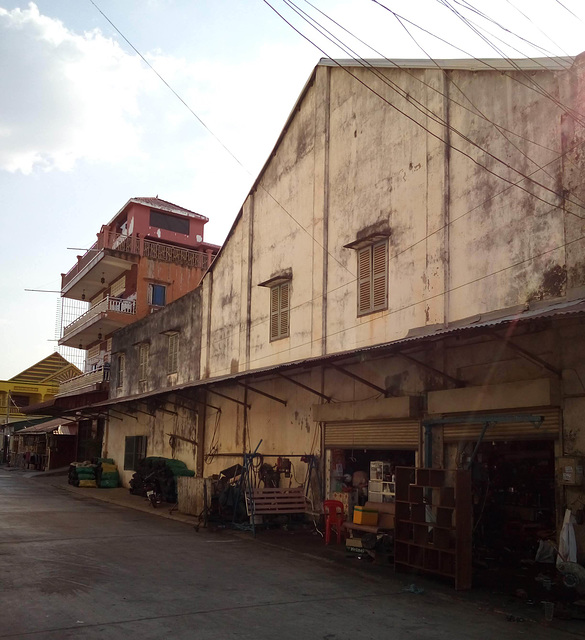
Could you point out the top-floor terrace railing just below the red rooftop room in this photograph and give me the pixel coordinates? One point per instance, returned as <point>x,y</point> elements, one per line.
<point>135,245</point>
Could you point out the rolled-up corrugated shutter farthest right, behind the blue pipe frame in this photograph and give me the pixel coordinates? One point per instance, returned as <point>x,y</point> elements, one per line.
<point>509,430</point>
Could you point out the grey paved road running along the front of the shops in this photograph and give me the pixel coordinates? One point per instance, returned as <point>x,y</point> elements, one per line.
<point>72,567</point>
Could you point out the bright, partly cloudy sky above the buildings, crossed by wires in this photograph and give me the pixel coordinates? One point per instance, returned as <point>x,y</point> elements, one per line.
<point>86,124</point>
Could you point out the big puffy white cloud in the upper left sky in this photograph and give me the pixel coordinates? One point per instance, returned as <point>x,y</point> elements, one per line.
<point>66,96</point>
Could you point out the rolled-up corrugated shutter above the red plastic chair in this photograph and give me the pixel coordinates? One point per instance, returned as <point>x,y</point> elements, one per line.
<point>389,434</point>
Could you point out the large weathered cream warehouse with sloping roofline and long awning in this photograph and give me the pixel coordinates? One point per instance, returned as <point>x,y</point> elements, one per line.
<point>408,266</point>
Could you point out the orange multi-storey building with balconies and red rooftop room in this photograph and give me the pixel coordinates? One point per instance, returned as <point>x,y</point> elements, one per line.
<point>150,253</point>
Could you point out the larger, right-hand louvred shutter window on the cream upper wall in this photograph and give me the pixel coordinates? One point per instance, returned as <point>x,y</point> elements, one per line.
<point>372,278</point>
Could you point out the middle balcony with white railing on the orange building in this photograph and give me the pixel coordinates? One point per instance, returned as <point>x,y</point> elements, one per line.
<point>98,321</point>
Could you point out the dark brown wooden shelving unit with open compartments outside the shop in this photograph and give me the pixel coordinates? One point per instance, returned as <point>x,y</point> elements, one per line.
<point>434,522</point>
